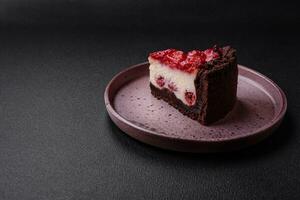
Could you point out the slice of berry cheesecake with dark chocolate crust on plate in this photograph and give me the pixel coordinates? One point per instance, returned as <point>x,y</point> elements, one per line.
<point>200,84</point>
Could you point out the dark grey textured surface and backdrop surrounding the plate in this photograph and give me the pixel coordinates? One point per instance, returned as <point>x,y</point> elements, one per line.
<point>56,140</point>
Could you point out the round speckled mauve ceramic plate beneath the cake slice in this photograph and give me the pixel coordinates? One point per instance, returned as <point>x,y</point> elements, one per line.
<point>258,112</point>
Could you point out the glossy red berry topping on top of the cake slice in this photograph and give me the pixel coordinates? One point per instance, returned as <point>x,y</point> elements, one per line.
<point>188,62</point>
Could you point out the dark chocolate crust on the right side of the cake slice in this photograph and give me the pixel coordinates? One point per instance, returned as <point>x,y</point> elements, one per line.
<point>217,87</point>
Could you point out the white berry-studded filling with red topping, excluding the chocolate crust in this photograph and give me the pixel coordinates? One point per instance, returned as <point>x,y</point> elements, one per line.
<point>176,71</point>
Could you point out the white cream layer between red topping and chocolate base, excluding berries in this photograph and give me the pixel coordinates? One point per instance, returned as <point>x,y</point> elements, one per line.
<point>184,81</point>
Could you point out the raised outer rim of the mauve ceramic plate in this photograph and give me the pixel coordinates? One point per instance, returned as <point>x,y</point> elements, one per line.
<point>276,120</point>
